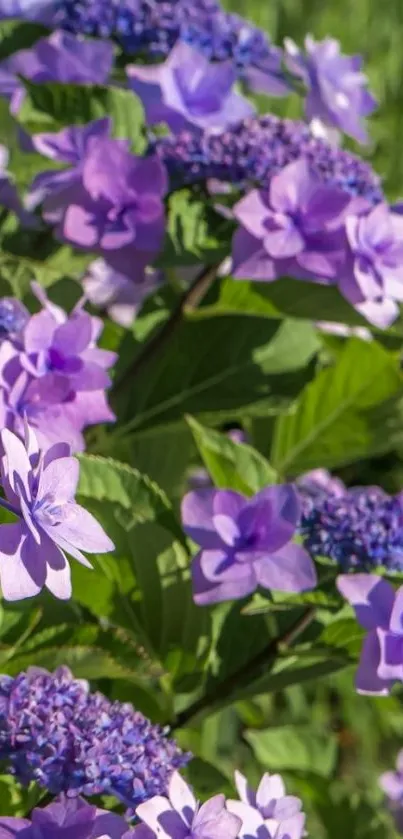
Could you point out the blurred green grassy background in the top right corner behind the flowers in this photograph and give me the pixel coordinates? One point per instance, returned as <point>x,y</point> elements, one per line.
<point>368,27</point>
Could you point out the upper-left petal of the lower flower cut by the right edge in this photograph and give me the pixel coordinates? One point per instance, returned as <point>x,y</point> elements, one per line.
<point>371,597</point>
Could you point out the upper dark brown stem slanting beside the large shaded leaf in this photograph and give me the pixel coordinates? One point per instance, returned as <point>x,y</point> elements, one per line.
<point>189,300</point>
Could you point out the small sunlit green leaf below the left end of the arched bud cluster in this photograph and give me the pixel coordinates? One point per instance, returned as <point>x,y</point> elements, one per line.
<point>196,233</point>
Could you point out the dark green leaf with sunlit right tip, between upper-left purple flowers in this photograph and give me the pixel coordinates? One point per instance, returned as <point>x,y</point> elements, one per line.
<point>49,107</point>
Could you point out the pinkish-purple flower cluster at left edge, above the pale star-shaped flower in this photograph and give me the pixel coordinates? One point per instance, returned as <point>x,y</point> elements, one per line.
<point>53,374</point>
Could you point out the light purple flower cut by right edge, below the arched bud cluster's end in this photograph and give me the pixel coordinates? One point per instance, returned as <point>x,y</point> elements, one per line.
<point>372,279</point>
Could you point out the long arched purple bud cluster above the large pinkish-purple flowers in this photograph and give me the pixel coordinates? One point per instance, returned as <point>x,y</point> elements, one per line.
<point>258,148</point>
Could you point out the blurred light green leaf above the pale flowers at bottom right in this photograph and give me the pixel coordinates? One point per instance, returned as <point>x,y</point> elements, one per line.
<point>291,747</point>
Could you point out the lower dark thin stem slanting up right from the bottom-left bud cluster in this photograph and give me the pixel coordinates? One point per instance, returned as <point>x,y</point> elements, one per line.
<point>248,672</point>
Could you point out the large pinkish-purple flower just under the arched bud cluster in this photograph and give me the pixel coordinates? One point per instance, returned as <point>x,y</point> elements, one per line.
<point>294,228</point>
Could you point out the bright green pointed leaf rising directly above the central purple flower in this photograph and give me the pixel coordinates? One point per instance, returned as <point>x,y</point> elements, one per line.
<point>231,465</point>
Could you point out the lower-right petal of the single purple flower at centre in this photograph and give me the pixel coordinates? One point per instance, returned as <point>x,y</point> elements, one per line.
<point>290,569</point>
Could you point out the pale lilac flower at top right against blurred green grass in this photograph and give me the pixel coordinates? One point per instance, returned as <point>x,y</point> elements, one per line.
<point>337,92</point>
